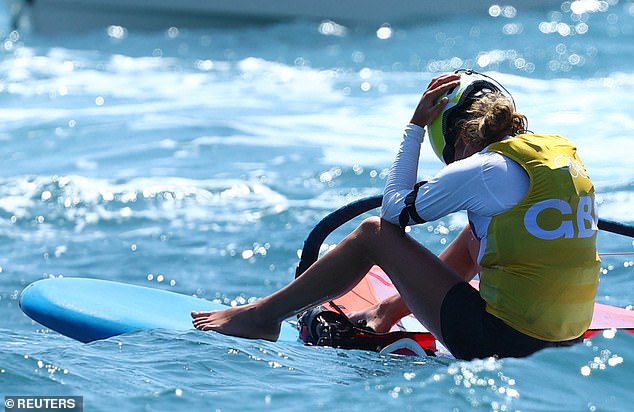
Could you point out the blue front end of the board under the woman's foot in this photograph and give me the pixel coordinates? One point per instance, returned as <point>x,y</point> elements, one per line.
<point>92,309</point>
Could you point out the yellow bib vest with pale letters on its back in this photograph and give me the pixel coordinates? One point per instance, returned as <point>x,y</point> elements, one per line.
<point>540,267</point>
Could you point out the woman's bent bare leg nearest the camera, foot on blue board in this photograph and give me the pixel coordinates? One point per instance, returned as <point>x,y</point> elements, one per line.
<point>421,278</point>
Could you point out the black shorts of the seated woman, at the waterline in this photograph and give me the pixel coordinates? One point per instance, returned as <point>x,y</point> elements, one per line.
<point>469,331</point>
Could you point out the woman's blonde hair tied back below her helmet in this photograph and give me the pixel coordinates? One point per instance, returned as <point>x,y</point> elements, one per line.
<point>489,119</point>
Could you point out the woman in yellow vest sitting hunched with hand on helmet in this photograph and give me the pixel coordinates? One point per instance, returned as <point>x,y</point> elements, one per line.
<point>531,236</point>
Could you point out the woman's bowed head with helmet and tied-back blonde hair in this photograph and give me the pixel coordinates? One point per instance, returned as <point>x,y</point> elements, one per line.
<point>479,111</point>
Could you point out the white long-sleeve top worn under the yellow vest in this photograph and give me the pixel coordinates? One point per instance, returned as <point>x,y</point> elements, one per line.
<point>485,184</point>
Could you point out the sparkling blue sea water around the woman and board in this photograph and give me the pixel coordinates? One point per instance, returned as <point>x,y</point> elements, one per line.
<point>197,161</point>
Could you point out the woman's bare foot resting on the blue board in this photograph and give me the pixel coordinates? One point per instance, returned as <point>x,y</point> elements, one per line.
<point>241,321</point>
